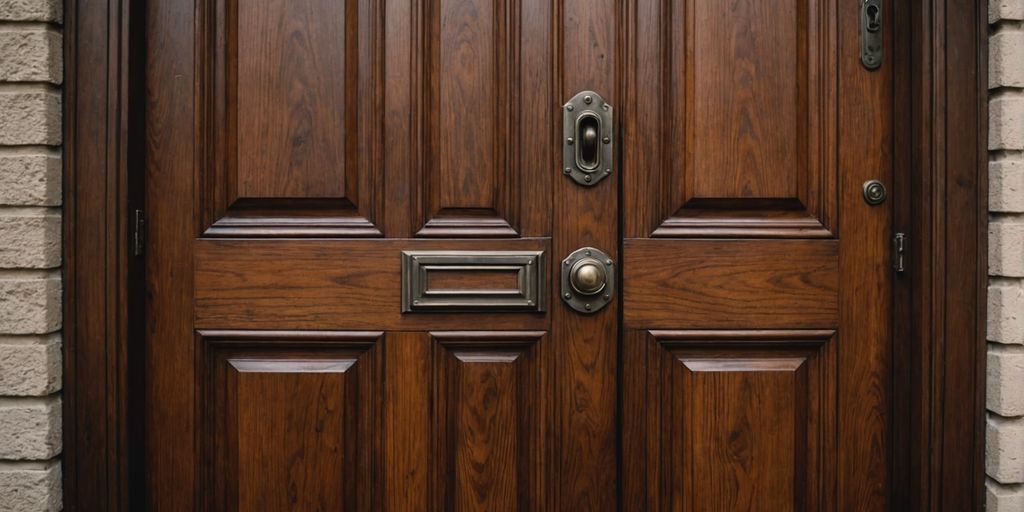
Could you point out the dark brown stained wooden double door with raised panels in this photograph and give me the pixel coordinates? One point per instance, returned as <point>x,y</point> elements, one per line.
<point>357,221</point>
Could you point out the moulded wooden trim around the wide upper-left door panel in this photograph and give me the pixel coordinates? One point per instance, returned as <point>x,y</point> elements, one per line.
<point>225,215</point>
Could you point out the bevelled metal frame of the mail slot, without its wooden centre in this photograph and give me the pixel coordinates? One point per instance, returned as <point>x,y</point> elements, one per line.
<point>530,297</point>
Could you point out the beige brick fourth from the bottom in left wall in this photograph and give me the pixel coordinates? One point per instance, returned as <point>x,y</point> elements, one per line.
<point>30,303</point>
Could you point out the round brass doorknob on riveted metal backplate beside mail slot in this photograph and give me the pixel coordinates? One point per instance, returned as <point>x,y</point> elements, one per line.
<point>588,280</point>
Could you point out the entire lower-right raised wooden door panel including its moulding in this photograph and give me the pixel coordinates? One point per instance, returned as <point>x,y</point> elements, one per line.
<point>730,420</point>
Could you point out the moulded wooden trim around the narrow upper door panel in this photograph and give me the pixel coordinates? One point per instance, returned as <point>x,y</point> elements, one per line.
<point>500,218</point>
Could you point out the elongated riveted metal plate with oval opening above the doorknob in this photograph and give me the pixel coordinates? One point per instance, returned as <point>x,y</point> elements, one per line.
<point>588,139</point>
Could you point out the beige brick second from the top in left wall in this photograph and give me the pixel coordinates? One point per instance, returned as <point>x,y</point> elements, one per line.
<point>31,56</point>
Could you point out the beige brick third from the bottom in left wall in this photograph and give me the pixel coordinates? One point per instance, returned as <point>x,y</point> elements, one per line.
<point>30,366</point>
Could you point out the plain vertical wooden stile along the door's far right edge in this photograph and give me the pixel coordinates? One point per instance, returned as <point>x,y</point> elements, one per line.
<point>866,358</point>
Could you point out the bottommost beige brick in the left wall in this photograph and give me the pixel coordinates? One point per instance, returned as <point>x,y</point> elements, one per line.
<point>30,487</point>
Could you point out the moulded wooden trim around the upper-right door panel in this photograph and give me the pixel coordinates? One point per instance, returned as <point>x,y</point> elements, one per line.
<point>660,196</point>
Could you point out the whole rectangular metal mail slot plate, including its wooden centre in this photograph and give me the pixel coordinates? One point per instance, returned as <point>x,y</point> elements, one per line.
<point>473,281</point>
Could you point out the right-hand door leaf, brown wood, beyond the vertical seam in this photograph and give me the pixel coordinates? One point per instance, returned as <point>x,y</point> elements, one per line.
<point>757,354</point>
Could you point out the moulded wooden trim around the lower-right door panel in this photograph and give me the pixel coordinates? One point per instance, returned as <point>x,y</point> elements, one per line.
<point>659,470</point>
